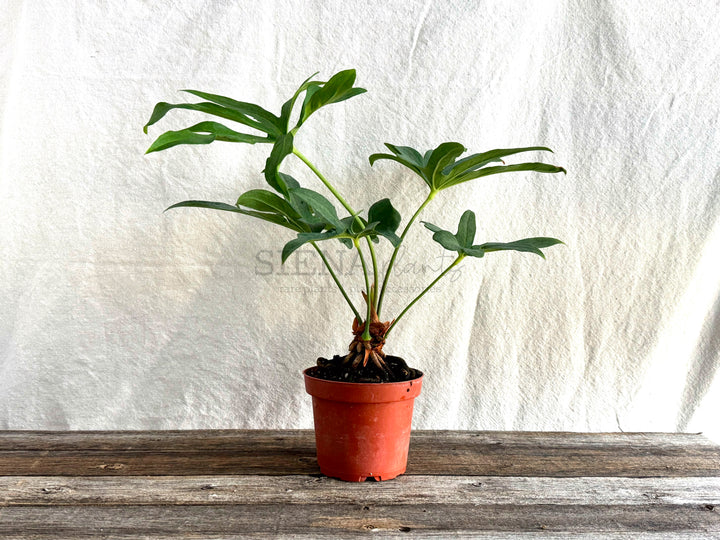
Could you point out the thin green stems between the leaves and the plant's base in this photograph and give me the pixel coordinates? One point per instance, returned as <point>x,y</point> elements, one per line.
<point>374,299</point>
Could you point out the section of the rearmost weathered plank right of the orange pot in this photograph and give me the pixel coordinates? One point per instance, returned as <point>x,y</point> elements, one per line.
<point>564,455</point>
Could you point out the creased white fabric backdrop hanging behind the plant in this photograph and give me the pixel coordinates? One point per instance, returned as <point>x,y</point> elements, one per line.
<point>115,315</point>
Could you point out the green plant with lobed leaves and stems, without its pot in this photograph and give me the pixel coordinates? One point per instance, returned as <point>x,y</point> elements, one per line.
<point>314,218</point>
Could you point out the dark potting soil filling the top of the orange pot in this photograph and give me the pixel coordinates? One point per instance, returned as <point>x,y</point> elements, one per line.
<point>335,370</point>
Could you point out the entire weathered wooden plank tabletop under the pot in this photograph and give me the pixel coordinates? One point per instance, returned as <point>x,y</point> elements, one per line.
<point>266,484</point>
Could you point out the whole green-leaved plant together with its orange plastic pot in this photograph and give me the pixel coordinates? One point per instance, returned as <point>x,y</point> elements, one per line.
<point>363,398</point>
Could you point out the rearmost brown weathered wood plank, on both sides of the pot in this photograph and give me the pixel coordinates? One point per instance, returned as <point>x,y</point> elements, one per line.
<point>293,452</point>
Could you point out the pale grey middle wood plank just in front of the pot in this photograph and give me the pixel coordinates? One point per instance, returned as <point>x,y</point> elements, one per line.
<point>407,490</point>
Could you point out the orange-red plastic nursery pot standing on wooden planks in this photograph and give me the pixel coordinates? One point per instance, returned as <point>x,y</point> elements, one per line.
<point>362,430</point>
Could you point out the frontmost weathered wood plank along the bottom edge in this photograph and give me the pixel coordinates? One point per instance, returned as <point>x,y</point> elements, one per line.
<point>342,520</point>
